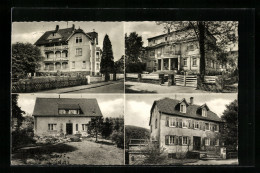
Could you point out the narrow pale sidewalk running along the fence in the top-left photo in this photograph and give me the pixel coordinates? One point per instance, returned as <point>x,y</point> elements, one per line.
<point>81,87</point>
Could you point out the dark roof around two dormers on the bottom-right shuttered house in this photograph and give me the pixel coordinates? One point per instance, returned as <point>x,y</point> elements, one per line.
<point>168,106</point>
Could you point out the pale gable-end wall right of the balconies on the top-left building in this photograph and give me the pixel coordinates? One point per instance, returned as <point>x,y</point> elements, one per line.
<point>85,45</point>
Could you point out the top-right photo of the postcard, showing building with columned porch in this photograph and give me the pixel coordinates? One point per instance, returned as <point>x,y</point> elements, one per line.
<point>181,57</point>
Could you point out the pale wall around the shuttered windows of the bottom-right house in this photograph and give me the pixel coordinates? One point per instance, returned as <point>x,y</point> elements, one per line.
<point>164,130</point>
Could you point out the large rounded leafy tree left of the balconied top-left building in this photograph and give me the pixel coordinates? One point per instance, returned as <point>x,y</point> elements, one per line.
<point>25,59</point>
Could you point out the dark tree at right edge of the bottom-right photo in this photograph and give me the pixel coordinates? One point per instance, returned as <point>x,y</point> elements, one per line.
<point>229,129</point>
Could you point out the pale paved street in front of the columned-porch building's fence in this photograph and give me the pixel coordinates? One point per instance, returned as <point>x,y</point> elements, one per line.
<point>138,87</point>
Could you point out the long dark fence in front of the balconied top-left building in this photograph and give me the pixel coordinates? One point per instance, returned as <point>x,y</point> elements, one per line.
<point>34,85</point>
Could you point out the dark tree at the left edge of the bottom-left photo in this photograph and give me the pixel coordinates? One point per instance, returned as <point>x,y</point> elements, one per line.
<point>17,113</point>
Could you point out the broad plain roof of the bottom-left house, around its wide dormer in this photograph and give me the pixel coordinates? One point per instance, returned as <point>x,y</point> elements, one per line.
<point>50,106</point>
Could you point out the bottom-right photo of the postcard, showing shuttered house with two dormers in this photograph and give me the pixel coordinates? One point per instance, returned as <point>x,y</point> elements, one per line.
<point>181,129</point>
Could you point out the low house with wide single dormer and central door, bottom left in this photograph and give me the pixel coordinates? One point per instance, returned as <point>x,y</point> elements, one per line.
<point>54,116</point>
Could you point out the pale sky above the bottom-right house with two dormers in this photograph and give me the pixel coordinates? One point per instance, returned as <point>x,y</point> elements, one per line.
<point>137,110</point>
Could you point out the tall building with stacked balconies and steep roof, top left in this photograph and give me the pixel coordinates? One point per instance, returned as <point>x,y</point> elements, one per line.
<point>69,50</point>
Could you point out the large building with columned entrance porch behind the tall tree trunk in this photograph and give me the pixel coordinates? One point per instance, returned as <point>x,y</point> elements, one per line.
<point>179,51</point>
